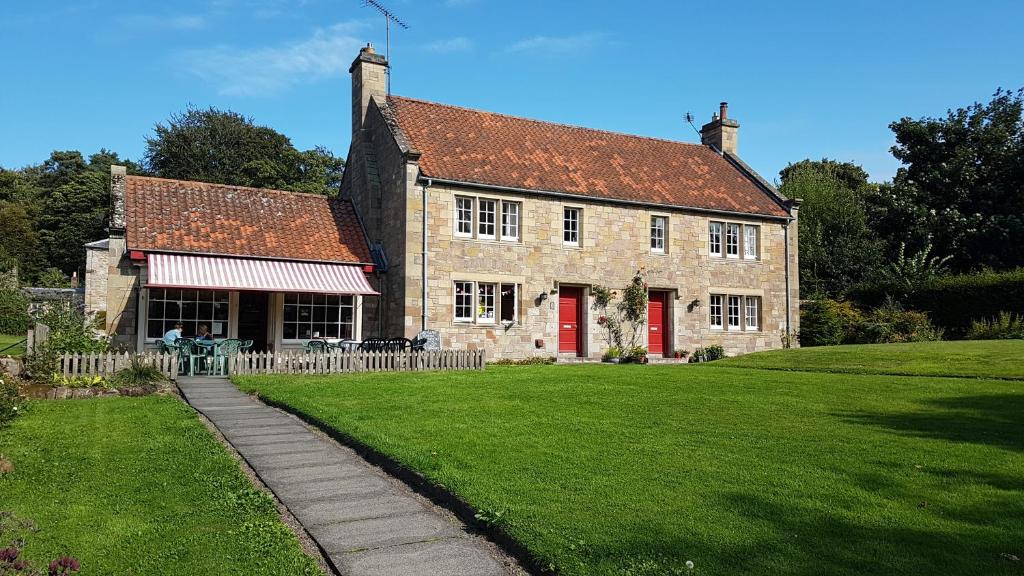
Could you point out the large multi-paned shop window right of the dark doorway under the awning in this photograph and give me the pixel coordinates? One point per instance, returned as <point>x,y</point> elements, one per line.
<point>319,316</point>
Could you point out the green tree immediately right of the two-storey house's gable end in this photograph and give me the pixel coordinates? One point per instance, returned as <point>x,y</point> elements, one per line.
<point>837,248</point>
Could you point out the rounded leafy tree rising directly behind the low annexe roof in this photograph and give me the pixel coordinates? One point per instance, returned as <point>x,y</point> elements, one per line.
<point>225,147</point>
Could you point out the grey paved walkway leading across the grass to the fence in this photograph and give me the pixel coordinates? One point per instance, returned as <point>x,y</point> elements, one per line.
<point>365,522</point>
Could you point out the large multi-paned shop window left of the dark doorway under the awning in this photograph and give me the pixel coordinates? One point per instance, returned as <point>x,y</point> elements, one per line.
<point>191,308</point>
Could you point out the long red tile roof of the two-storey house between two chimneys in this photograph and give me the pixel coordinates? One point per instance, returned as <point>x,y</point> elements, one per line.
<point>471,146</point>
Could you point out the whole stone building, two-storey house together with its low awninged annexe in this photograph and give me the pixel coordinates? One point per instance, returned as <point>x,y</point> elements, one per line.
<point>491,230</point>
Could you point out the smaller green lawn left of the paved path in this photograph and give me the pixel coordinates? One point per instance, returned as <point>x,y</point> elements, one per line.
<point>140,486</point>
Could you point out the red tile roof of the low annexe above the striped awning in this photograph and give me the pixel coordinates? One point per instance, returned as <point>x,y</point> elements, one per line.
<point>187,217</point>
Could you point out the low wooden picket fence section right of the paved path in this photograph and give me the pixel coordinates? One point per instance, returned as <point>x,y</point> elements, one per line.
<point>355,361</point>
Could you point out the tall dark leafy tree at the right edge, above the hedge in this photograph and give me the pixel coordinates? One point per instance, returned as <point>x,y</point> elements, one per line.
<point>962,186</point>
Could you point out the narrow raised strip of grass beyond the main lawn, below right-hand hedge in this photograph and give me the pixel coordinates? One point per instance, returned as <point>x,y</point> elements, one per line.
<point>974,359</point>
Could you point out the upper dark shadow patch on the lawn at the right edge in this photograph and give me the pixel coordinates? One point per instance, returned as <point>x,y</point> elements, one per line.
<point>991,420</point>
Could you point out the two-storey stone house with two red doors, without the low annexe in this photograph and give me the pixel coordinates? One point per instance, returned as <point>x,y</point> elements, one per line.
<point>493,230</point>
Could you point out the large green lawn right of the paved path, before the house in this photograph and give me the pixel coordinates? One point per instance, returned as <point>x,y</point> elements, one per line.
<point>636,470</point>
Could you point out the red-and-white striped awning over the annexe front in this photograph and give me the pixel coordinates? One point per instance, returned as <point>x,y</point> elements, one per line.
<point>186,271</point>
